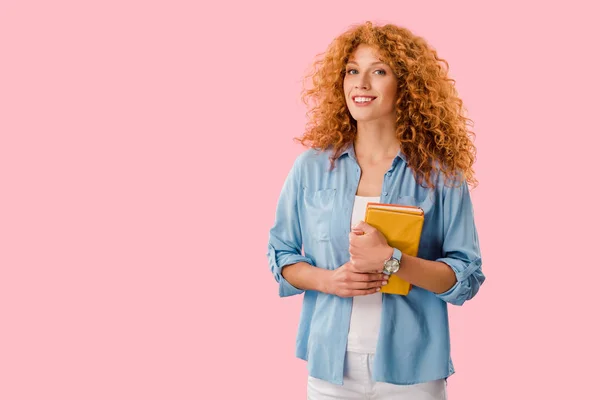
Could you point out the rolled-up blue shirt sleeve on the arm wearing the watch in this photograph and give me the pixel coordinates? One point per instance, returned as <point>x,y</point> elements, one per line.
<point>460,249</point>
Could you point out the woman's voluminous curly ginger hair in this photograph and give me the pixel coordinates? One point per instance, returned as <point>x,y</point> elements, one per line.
<point>430,125</point>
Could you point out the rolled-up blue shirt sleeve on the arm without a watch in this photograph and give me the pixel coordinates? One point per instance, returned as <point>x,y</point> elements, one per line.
<point>285,240</point>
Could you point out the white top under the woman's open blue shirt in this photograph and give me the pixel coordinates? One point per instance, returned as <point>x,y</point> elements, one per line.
<point>366,310</point>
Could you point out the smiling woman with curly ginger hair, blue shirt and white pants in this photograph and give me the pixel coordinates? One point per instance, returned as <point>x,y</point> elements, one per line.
<point>386,126</point>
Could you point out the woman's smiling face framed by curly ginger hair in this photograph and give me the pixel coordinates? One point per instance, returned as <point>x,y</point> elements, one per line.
<point>370,86</point>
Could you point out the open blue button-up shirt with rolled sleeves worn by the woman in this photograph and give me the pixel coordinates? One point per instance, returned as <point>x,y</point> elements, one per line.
<point>312,224</point>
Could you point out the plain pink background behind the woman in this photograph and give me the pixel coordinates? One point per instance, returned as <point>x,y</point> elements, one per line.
<point>143,147</point>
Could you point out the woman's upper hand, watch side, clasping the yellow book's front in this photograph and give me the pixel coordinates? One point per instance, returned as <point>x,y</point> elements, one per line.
<point>368,248</point>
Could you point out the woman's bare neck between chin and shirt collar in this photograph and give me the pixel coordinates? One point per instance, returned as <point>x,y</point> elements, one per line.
<point>376,141</point>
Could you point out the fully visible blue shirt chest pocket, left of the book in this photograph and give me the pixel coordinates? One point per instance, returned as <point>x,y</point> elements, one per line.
<point>318,212</point>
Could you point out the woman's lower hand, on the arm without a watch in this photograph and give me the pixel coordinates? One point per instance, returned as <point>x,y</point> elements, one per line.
<point>347,281</point>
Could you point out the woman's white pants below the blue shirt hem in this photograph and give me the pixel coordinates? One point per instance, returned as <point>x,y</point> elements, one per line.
<point>358,384</point>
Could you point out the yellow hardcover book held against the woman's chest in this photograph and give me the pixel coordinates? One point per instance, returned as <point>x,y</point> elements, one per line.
<point>401,225</point>
